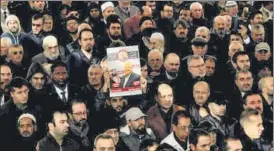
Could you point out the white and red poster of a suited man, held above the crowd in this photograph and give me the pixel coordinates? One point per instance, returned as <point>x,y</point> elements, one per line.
<point>124,70</point>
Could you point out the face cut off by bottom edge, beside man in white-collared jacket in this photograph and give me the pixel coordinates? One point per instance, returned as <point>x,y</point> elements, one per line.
<point>203,144</point>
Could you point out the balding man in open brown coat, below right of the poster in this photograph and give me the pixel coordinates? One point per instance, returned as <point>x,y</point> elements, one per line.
<point>160,115</point>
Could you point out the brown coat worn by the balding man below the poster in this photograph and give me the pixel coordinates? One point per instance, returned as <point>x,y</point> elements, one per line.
<point>157,123</point>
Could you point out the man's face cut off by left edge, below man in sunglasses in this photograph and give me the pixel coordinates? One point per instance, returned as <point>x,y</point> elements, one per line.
<point>5,76</point>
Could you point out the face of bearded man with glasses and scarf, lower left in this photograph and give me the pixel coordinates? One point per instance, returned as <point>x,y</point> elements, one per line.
<point>79,112</point>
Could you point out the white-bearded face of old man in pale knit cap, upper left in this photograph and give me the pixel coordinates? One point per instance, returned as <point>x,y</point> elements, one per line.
<point>52,50</point>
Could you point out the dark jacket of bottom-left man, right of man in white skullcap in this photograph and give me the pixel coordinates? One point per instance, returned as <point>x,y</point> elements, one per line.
<point>48,143</point>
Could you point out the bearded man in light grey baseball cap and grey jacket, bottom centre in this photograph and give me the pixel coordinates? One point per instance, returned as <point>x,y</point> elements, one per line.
<point>135,131</point>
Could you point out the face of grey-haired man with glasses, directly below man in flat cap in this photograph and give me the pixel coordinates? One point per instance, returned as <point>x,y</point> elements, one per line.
<point>197,68</point>
